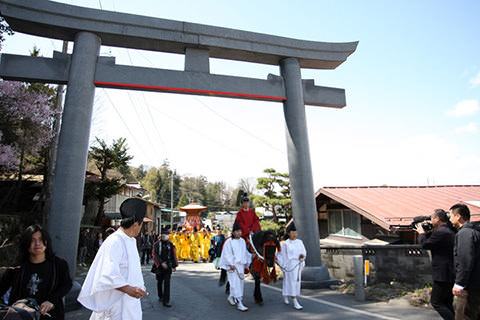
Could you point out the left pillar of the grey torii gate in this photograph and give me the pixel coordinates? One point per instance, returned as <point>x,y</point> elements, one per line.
<point>67,196</point>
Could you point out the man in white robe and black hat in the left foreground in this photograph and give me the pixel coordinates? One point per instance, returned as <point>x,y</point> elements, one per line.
<point>114,283</point>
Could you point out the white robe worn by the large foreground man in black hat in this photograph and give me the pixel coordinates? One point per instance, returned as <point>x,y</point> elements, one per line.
<point>116,264</point>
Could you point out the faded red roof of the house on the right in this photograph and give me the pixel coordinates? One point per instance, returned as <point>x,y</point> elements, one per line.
<point>396,206</point>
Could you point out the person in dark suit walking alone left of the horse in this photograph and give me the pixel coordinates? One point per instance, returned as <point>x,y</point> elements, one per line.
<point>165,262</point>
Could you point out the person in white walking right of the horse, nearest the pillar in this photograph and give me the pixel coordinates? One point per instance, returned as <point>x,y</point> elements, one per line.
<point>291,258</point>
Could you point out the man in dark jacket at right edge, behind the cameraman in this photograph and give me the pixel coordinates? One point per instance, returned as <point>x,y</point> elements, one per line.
<point>467,264</point>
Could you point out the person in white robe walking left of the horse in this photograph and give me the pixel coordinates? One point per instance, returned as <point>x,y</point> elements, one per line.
<point>235,258</point>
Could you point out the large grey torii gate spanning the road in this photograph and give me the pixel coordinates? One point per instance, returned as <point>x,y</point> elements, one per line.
<point>85,70</point>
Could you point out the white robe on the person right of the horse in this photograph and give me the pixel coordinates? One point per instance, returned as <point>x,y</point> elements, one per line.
<point>287,258</point>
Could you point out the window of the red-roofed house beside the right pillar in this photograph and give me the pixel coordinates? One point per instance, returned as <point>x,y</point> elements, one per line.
<point>344,223</point>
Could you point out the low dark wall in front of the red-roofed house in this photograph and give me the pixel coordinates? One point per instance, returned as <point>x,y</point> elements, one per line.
<point>404,263</point>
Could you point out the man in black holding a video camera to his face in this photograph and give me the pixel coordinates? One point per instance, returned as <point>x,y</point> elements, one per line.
<point>440,241</point>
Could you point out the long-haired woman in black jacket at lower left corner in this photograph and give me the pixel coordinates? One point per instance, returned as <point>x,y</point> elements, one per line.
<point>40,275</point>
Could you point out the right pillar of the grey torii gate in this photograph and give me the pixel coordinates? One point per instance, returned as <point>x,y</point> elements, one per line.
<point>315,275</point>
